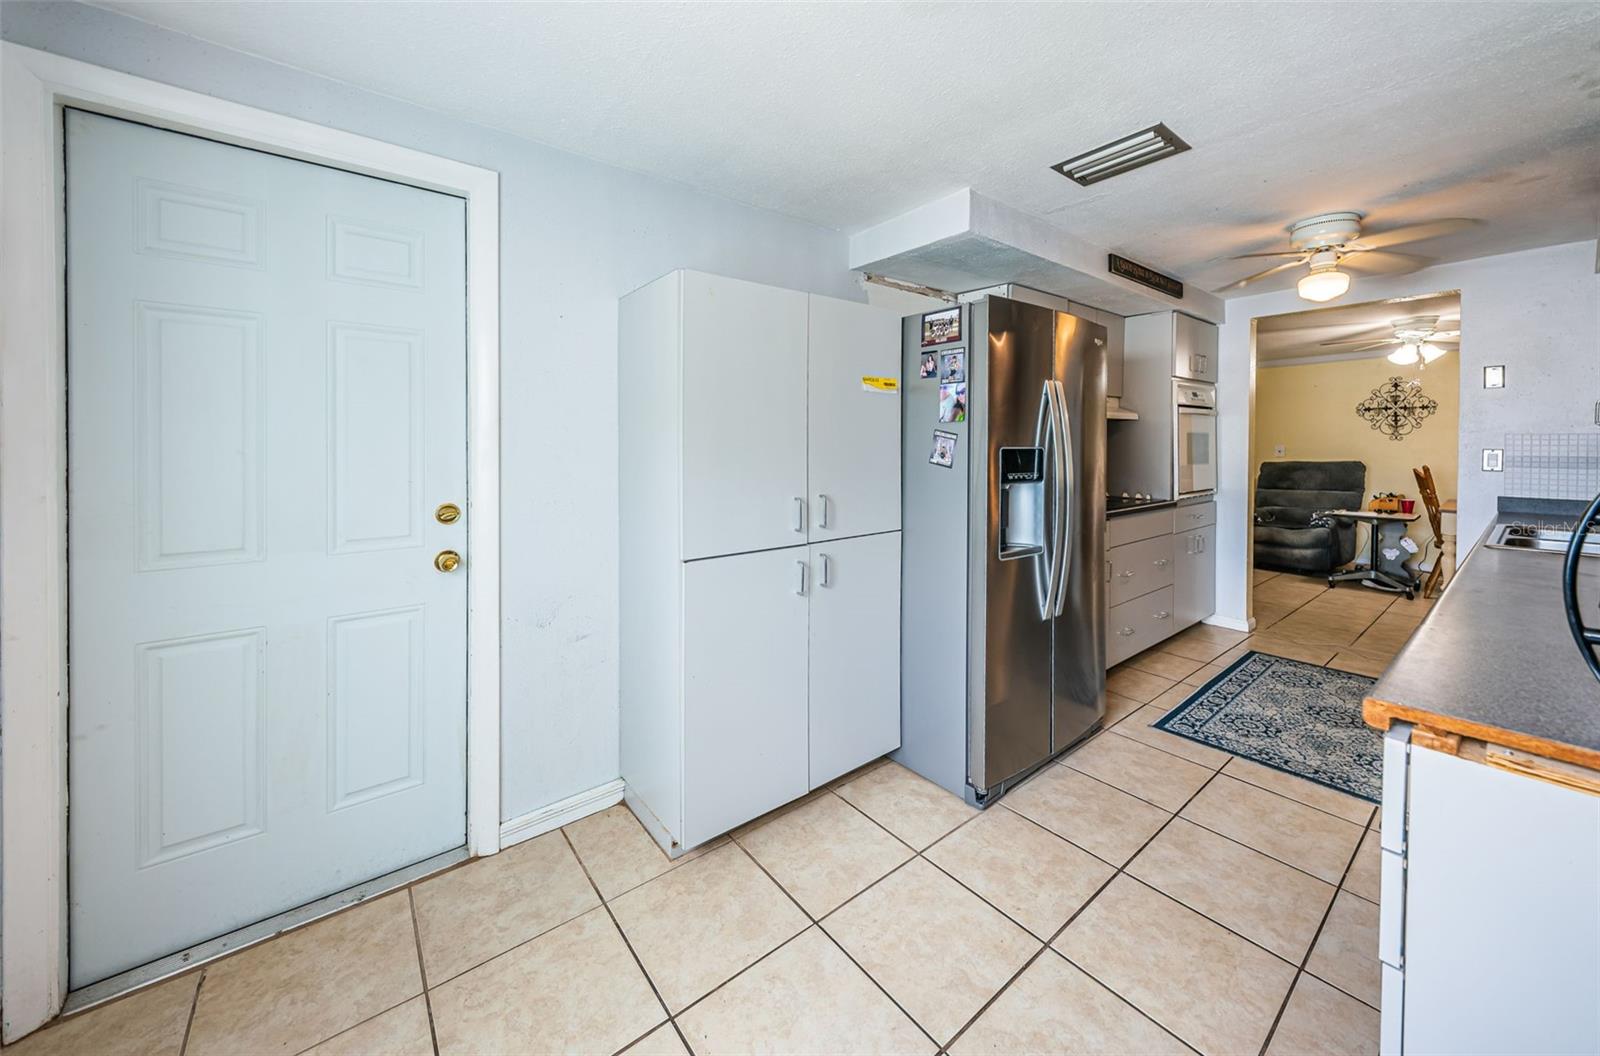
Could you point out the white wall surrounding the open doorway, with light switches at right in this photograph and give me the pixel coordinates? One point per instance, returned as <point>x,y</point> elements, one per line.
<point>1538,313</point>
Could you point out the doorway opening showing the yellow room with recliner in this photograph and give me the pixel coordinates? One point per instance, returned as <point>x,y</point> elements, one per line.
<point>1354,468</point>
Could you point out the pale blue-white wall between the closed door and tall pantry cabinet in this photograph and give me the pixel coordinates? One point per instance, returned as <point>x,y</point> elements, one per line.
<point>575,236</point>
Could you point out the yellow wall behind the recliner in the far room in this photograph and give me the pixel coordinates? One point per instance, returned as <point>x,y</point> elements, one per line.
<point>1311,412</point>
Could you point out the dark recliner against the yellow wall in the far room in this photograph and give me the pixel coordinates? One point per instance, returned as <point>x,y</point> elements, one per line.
<point>1290,498</point>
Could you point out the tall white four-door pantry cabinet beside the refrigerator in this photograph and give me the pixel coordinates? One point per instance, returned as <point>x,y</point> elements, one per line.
<point>759,495</point>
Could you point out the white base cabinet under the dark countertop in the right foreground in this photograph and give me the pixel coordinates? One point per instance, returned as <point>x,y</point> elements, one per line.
<point>1490,918</point>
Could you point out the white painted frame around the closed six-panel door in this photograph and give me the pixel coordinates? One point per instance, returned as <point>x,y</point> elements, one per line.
<point>33,470</point>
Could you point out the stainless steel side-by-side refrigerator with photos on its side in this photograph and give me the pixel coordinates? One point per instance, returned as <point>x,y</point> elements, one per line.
<point>1004,548</point>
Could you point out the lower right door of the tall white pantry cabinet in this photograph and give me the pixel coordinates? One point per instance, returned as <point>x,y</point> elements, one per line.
<point>855,654</point>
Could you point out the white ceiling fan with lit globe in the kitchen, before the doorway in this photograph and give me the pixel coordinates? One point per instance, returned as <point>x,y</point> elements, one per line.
<point>1334,246</point>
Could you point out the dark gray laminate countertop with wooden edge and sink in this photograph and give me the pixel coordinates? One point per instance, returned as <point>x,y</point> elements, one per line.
<point>1495,660</point>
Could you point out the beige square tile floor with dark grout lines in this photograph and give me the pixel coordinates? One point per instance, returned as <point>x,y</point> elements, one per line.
<point>1143,895</point>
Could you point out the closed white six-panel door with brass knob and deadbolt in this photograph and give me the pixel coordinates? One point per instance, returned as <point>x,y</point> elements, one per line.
<point>266,382</point>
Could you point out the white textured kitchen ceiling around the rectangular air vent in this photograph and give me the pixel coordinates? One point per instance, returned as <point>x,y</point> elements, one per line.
<point>849,114</point>
